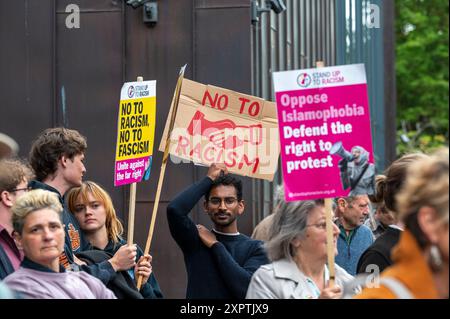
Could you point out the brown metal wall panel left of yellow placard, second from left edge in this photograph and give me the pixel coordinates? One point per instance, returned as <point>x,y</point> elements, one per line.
<point>89,78</point>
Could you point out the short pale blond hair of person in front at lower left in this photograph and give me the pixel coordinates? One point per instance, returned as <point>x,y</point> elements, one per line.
<point>33,201</point>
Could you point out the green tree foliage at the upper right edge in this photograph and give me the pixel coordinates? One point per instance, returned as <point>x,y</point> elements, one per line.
<point>422,74</point>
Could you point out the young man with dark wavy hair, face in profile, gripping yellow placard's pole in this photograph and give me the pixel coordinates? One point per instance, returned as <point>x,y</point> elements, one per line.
<point>56,157</point>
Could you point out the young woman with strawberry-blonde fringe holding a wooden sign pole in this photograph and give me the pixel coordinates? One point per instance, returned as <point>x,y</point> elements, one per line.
<point>93,208</point>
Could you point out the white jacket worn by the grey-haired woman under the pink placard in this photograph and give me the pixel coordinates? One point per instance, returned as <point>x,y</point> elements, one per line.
<point>282,279</point>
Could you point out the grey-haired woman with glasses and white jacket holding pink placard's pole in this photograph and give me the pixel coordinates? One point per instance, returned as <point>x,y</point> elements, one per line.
<point>297,247</point>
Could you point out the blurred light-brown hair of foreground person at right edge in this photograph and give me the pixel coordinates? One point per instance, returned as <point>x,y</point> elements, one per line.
<point>426,185</point>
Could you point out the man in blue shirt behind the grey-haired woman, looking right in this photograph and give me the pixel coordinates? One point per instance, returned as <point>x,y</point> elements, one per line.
<point>355,237</point>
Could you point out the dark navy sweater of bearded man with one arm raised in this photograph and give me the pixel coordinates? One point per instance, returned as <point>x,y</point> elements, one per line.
<point>225,269</point>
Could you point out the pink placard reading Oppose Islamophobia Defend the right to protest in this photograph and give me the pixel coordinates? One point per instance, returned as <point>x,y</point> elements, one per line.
<point>324,122</point>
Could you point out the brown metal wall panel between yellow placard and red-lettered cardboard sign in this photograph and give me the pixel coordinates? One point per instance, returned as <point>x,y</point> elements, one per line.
<point>157,53</point>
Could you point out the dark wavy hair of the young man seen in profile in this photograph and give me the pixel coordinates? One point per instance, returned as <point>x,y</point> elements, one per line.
<point>50,145</point>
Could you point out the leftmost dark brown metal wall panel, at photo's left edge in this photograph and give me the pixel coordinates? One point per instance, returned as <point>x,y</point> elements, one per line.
<point>26,81</point>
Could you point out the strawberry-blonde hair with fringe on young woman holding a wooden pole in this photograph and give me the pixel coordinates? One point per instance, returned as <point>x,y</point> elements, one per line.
<point>113,225</point>
